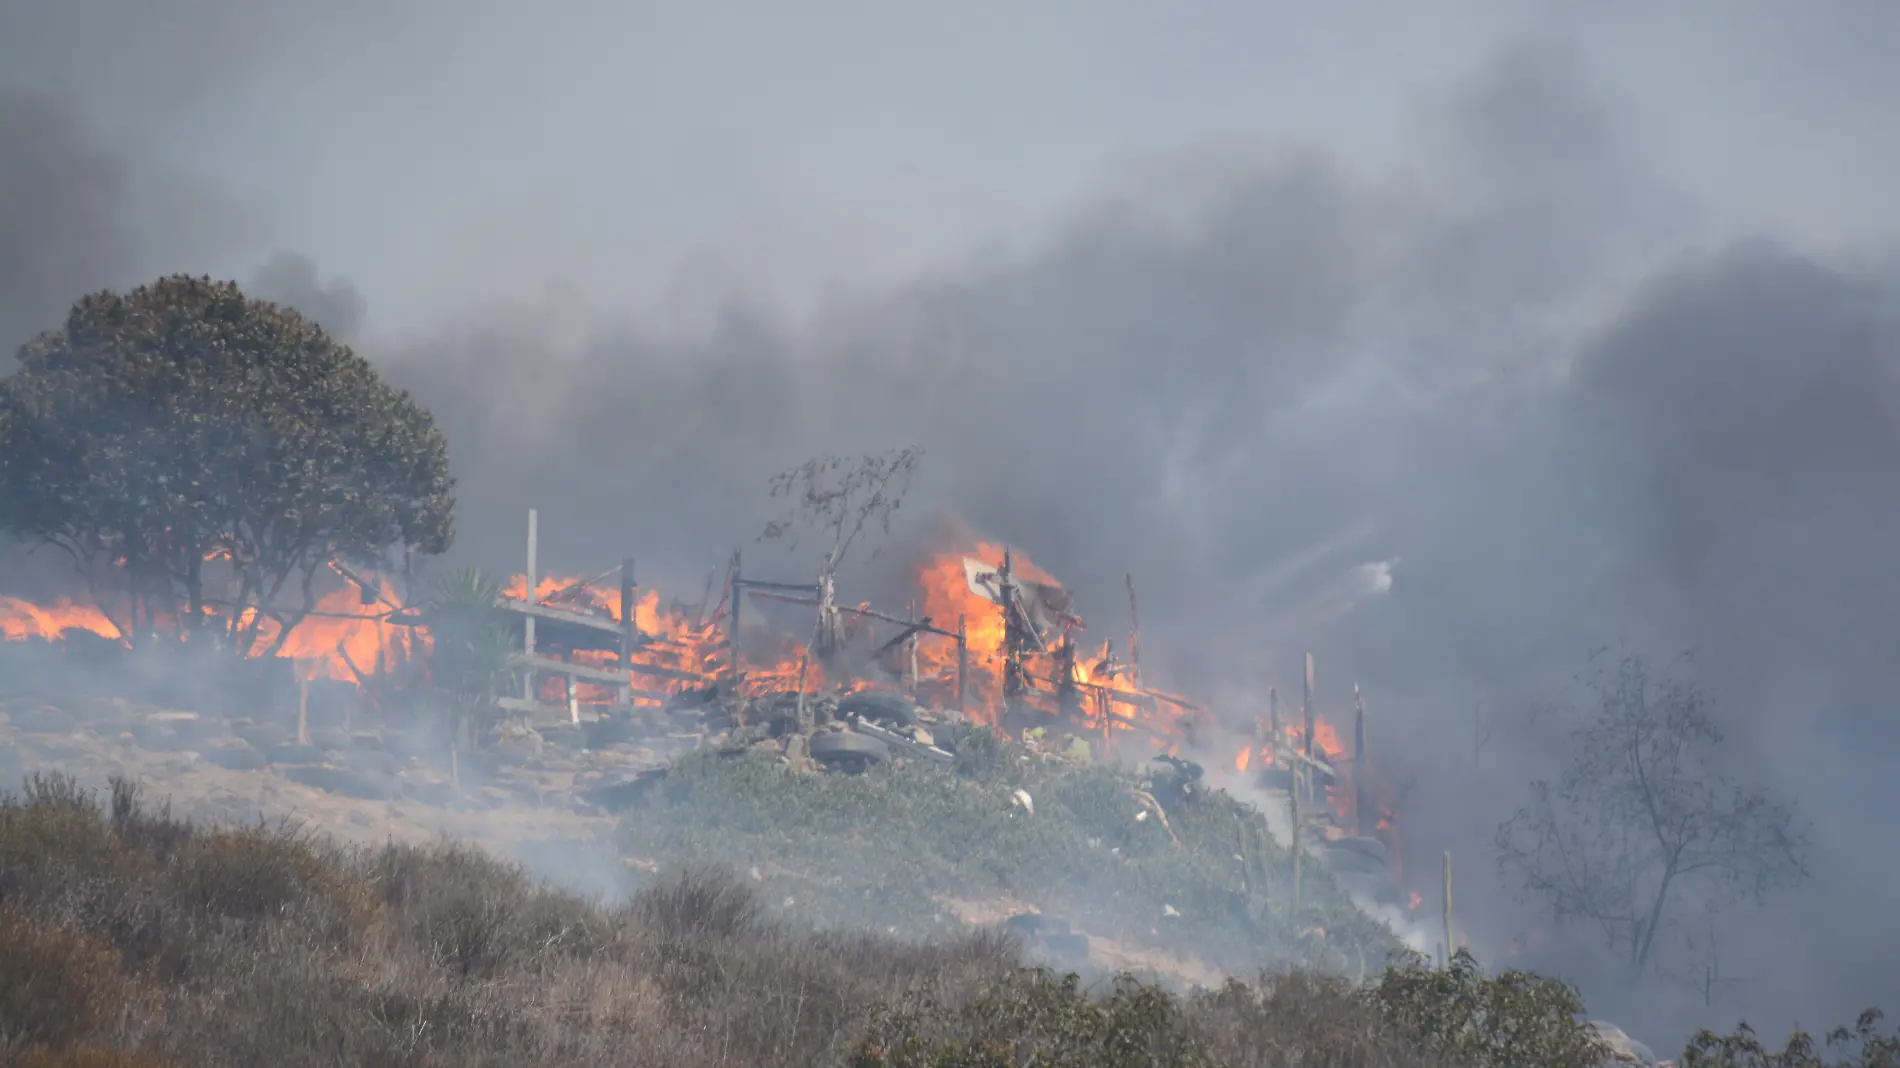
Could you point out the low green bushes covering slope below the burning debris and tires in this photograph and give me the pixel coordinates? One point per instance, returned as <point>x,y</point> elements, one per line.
<point>886,849</point>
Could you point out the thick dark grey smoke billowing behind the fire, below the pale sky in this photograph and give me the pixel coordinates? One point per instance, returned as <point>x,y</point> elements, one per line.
<point>1527,368</point>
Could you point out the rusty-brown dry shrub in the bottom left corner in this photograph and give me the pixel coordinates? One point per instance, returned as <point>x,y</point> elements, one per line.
<point>56,987</point>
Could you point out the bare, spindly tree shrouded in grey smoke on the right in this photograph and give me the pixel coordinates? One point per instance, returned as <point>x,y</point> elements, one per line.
<point>1644,816</point>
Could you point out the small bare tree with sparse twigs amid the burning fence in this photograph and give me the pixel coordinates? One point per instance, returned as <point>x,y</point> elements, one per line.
<point>839,499</point>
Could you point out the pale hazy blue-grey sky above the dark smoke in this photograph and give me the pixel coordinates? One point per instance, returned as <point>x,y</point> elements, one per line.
<point>639,157</point>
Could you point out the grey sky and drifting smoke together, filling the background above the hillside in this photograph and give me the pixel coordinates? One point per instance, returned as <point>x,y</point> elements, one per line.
<point>1587,318</point>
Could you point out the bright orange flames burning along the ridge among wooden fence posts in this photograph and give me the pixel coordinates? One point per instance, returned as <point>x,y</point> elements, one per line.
<point>360,630</point>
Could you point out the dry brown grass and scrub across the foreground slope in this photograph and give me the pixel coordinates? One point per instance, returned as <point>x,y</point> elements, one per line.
<point>132,940</point>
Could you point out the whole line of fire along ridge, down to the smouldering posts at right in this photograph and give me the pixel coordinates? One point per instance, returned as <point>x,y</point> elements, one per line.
<point>362,632</point>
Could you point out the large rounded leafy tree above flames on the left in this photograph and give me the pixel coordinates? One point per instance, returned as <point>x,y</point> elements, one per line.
<point>183,434</point>
